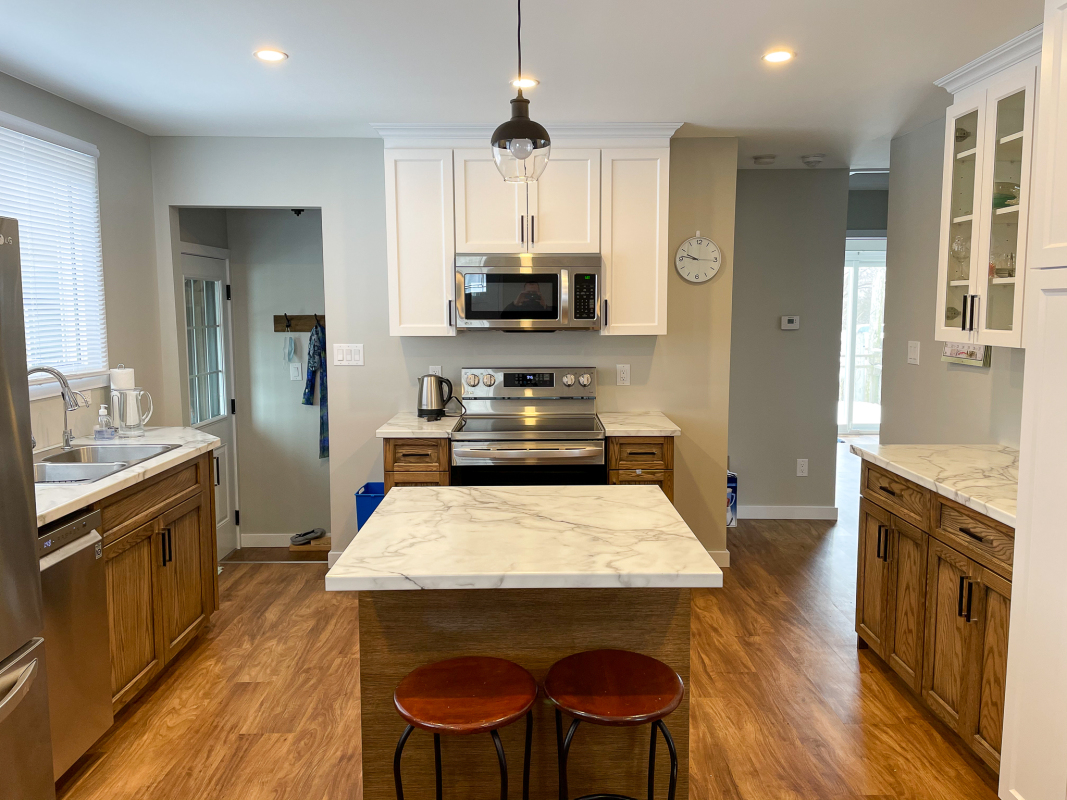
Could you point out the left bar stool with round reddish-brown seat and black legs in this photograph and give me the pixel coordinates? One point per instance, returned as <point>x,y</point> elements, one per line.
<point>467,696</point>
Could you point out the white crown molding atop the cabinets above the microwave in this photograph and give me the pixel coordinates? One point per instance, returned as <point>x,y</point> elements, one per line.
<point>436,135</point>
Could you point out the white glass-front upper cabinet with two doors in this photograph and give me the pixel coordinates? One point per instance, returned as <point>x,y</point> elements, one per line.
<point>984,207</point>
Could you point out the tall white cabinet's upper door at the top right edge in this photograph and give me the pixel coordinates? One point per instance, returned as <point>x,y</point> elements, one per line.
<point>1048,233</point>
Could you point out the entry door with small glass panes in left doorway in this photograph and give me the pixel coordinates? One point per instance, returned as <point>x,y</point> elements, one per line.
<point>210,376</point>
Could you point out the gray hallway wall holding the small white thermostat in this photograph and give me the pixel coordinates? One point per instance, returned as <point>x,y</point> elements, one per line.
<point>784,385</point>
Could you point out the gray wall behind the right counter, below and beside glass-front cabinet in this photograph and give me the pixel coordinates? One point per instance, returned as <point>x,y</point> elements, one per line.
<point>934,403</point>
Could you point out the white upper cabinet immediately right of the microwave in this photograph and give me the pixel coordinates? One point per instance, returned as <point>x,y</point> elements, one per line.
<point>634,189</point>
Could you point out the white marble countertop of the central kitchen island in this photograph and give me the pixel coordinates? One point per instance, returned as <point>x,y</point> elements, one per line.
<point>524,538</point>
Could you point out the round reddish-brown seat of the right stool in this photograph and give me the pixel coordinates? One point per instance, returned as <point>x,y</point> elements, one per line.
<point>614,687</point>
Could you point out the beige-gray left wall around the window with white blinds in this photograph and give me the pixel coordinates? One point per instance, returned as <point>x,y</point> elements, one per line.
<point>128,239</point>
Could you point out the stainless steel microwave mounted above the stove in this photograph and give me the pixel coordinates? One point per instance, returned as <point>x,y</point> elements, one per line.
<point>529,292</point>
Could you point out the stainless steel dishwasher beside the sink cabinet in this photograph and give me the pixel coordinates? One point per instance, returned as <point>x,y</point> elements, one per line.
<point>75,590</point>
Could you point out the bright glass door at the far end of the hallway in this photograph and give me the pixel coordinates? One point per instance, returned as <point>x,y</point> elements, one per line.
<point>864,307</point>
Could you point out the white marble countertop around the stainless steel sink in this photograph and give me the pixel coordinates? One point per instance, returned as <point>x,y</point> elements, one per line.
<point>59,500</point>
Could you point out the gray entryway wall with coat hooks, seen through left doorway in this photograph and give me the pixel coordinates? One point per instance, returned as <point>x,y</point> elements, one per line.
<point>276,267</point>
